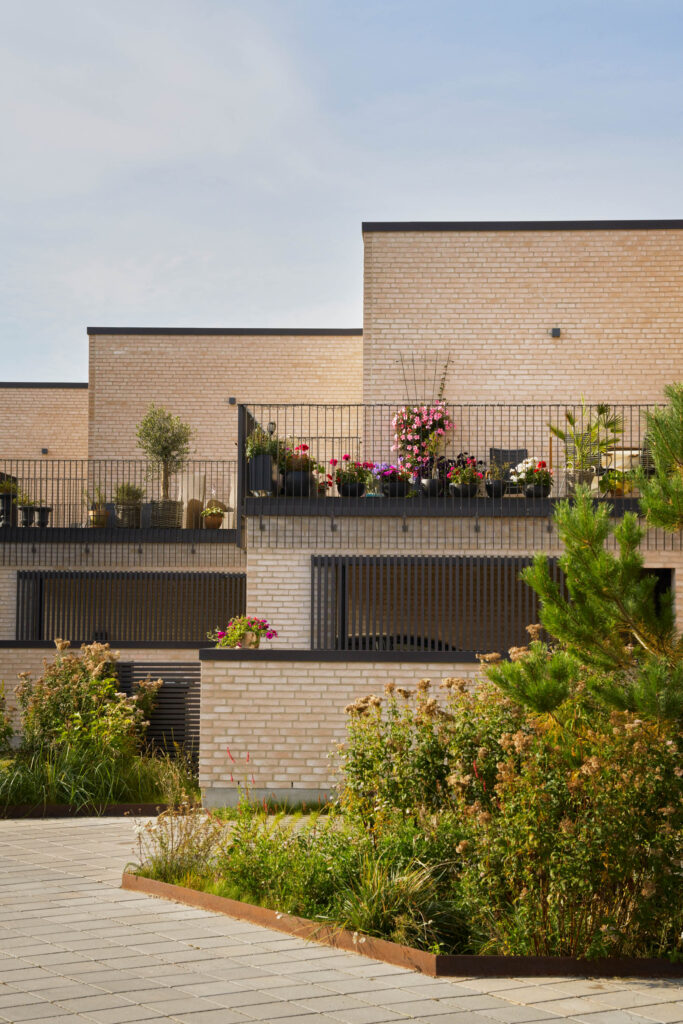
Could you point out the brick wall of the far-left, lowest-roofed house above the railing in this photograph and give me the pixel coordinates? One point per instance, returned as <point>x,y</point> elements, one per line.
<point>33,418</point>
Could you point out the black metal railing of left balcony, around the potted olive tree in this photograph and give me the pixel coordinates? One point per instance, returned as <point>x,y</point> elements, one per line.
<point>97,494</point>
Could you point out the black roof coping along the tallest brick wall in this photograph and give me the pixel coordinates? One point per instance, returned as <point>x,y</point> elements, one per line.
<point>519,226</point>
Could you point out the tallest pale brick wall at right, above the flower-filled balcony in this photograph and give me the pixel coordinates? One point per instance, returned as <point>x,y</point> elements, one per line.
<point>489,300</point>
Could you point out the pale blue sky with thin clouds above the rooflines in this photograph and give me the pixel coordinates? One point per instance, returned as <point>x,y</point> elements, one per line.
<point>209,163</point>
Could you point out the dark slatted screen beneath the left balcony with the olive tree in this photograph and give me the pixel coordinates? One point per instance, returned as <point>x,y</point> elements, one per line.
<point>118,608</point>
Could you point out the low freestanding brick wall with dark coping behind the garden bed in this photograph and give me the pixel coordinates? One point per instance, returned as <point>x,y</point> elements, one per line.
<point>282,714</point>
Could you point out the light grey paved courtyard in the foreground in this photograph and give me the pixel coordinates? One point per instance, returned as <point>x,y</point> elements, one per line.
<point>76,948</point>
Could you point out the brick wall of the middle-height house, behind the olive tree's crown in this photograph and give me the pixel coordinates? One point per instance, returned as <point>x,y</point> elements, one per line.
<point>194,377</point>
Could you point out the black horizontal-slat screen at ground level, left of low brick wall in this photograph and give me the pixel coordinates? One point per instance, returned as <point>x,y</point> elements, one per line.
<point>176,719</point>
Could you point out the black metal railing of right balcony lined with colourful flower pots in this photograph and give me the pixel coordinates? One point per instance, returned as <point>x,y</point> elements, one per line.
<point>446,459</point>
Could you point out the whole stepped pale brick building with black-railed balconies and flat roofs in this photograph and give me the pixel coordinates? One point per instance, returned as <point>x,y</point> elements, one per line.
<point>511,324</point>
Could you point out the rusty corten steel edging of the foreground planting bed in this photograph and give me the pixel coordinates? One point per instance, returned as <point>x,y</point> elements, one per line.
<point>436,966</point>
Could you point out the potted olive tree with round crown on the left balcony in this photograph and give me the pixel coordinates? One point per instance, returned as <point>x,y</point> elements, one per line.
<point>165,441</point>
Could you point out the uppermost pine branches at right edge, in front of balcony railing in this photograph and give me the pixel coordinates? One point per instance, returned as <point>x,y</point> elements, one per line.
<point>662,495</point>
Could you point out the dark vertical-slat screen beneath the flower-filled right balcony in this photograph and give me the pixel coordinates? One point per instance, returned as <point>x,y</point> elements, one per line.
<point>421,604</point>
